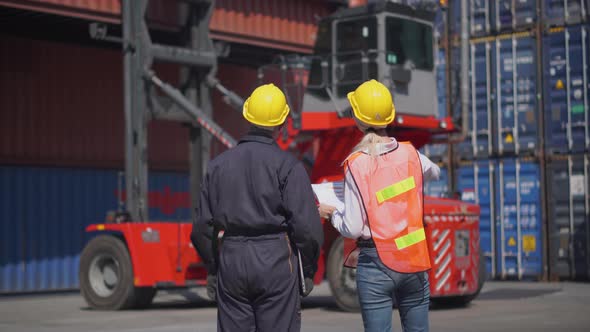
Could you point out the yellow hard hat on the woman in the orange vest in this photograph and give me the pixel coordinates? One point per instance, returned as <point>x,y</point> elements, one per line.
<point>372,104</point>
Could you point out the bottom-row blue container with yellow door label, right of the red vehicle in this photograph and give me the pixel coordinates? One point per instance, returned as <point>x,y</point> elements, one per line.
<point>508,191</point>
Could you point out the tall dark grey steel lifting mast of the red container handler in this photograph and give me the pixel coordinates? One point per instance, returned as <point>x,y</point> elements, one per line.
<point>142,103</point>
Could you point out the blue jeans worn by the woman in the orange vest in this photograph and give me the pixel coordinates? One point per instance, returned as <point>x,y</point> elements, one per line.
<point>380,288</point>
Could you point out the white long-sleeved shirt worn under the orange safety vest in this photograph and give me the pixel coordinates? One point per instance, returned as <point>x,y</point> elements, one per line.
<point>351,221</point>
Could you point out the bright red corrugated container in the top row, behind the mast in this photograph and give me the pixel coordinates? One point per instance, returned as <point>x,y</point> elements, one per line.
<point>288,25</point>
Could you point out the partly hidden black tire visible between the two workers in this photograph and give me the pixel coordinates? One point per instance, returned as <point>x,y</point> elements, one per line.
<point>342,280</point>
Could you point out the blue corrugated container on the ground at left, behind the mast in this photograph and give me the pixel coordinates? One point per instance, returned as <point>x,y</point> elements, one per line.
<point>44,211</point>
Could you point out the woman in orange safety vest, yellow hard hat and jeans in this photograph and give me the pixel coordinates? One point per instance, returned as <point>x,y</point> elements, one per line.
<point>383,211</point>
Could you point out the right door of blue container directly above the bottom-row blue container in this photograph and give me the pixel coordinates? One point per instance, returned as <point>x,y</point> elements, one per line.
<point>516,95</point>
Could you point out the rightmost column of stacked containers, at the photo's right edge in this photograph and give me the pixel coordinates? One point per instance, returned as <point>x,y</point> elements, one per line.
<point>566,87</point>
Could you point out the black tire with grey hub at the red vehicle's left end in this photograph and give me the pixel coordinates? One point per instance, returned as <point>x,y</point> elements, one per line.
<point>107,255</point>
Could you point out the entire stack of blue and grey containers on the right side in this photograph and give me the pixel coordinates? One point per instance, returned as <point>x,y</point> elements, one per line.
<point>521,124</point>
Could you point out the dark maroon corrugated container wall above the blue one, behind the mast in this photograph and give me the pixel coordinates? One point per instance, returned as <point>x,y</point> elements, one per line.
<point>43,122</point>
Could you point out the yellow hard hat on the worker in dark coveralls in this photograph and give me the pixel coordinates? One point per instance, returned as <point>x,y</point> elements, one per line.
<point>266,106</point>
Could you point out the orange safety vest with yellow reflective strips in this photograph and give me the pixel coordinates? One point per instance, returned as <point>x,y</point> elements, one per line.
<point>390,186</point>
